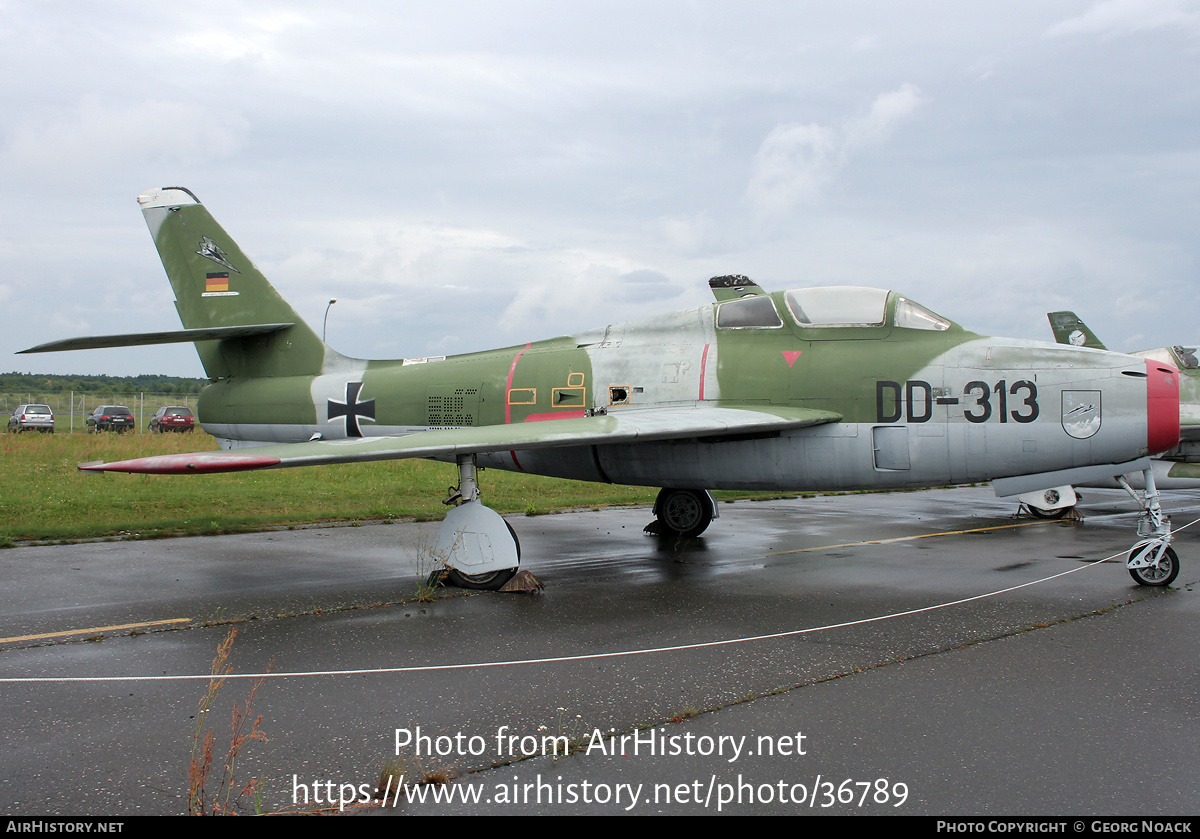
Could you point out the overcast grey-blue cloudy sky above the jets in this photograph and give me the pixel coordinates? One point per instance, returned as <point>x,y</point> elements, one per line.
<point>464,176</point>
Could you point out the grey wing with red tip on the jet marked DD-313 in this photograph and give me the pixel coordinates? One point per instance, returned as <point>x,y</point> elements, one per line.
<point>625,427</point>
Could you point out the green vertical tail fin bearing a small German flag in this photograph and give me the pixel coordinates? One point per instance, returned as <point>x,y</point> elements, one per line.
<point>218,289</point>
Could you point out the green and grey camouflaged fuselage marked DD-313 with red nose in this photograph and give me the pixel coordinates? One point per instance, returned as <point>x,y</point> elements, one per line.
<point>921,406</point>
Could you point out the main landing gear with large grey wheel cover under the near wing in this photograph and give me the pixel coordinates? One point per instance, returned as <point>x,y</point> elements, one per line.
<point>478,548</point>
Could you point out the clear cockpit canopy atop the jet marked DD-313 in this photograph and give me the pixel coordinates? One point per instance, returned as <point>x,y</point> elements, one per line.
<point>836,307</point>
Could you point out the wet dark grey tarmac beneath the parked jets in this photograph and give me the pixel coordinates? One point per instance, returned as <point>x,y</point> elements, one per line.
<point>919,654</point>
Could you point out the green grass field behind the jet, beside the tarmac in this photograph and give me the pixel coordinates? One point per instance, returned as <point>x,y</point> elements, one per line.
<point>45,499</point>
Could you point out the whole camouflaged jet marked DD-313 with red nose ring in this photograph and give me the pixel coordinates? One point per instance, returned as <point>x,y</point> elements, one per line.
<point>841,388</point>
